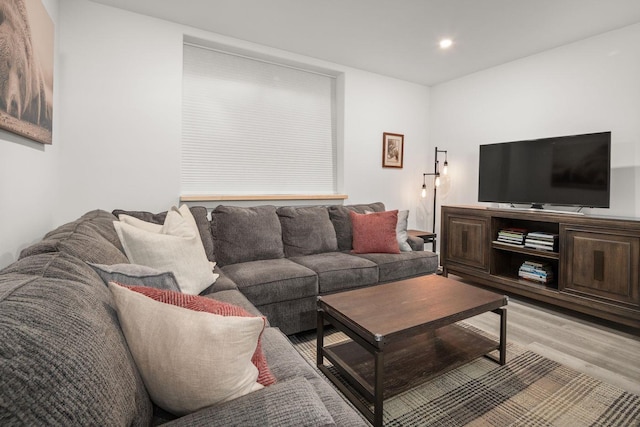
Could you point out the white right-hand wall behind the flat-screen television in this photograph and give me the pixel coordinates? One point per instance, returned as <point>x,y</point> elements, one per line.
<point>588,86</point>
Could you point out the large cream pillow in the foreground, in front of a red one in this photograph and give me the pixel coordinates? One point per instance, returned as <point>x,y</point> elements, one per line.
<point>188,359</point>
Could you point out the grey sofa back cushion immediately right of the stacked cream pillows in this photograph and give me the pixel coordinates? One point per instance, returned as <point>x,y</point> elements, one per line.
<point>246,234</point>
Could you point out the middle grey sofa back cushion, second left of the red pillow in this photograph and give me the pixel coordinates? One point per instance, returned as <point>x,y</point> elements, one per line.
<point>306,230</point>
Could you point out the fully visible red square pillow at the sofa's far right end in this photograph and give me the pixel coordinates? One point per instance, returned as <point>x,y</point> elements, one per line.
<point>375,232</point>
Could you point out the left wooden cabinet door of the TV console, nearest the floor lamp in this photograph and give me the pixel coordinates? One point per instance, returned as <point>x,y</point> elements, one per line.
<point>467,239</point>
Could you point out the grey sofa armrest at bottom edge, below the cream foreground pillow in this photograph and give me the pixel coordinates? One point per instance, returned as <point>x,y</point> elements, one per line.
<point>287,403</point>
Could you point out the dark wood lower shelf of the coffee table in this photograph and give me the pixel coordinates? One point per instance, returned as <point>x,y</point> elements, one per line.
<point>410,362</point>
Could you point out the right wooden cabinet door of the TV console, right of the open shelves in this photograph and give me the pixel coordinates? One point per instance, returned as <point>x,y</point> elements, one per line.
<point>603,265</point>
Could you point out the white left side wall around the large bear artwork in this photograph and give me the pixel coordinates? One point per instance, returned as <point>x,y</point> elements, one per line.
<point>28,176</point>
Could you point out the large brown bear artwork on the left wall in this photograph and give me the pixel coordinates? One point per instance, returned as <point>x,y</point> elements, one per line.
<point>26,69</point>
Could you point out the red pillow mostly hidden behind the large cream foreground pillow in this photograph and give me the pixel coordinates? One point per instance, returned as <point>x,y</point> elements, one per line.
<point>209,305</point>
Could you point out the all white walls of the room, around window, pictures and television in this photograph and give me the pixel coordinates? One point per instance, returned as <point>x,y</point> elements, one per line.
<point>117,122</point>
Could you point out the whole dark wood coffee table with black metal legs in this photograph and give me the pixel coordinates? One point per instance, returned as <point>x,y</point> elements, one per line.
<point>403,334</point>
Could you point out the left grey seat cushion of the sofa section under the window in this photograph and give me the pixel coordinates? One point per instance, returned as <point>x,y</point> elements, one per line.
<point>274,280</point>
